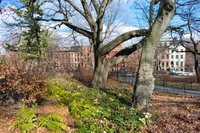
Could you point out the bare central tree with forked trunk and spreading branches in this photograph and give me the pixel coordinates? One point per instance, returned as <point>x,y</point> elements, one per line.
<point>92,13</point>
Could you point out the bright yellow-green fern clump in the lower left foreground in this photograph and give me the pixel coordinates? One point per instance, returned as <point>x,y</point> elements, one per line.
<point>29,121</point>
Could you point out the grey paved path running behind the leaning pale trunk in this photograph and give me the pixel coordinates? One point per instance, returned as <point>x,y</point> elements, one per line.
<point>185,92</point>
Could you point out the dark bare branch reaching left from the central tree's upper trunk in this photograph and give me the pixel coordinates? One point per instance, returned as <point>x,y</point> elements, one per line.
<point>71,26</point>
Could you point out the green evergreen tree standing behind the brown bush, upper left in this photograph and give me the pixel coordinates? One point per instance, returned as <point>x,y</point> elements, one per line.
<point>35,40</point>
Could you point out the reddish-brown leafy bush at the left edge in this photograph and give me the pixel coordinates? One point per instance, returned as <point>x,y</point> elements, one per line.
<point>17,83</point>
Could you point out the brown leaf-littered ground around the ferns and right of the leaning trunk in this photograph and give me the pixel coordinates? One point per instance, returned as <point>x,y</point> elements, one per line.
<point>176,114</point>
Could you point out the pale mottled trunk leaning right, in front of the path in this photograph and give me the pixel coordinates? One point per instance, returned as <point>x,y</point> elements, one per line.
<point>145,81</point>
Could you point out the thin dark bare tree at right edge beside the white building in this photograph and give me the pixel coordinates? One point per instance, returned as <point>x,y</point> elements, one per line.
<point>188,13</point>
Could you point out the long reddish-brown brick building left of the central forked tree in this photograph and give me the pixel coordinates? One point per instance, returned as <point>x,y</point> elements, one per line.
<point>70,58</point>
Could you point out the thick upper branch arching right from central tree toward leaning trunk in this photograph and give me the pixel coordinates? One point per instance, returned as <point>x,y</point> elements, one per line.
<point>122,38</point>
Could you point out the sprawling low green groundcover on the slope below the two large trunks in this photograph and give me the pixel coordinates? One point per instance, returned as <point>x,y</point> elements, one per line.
<point>100,110</point>
